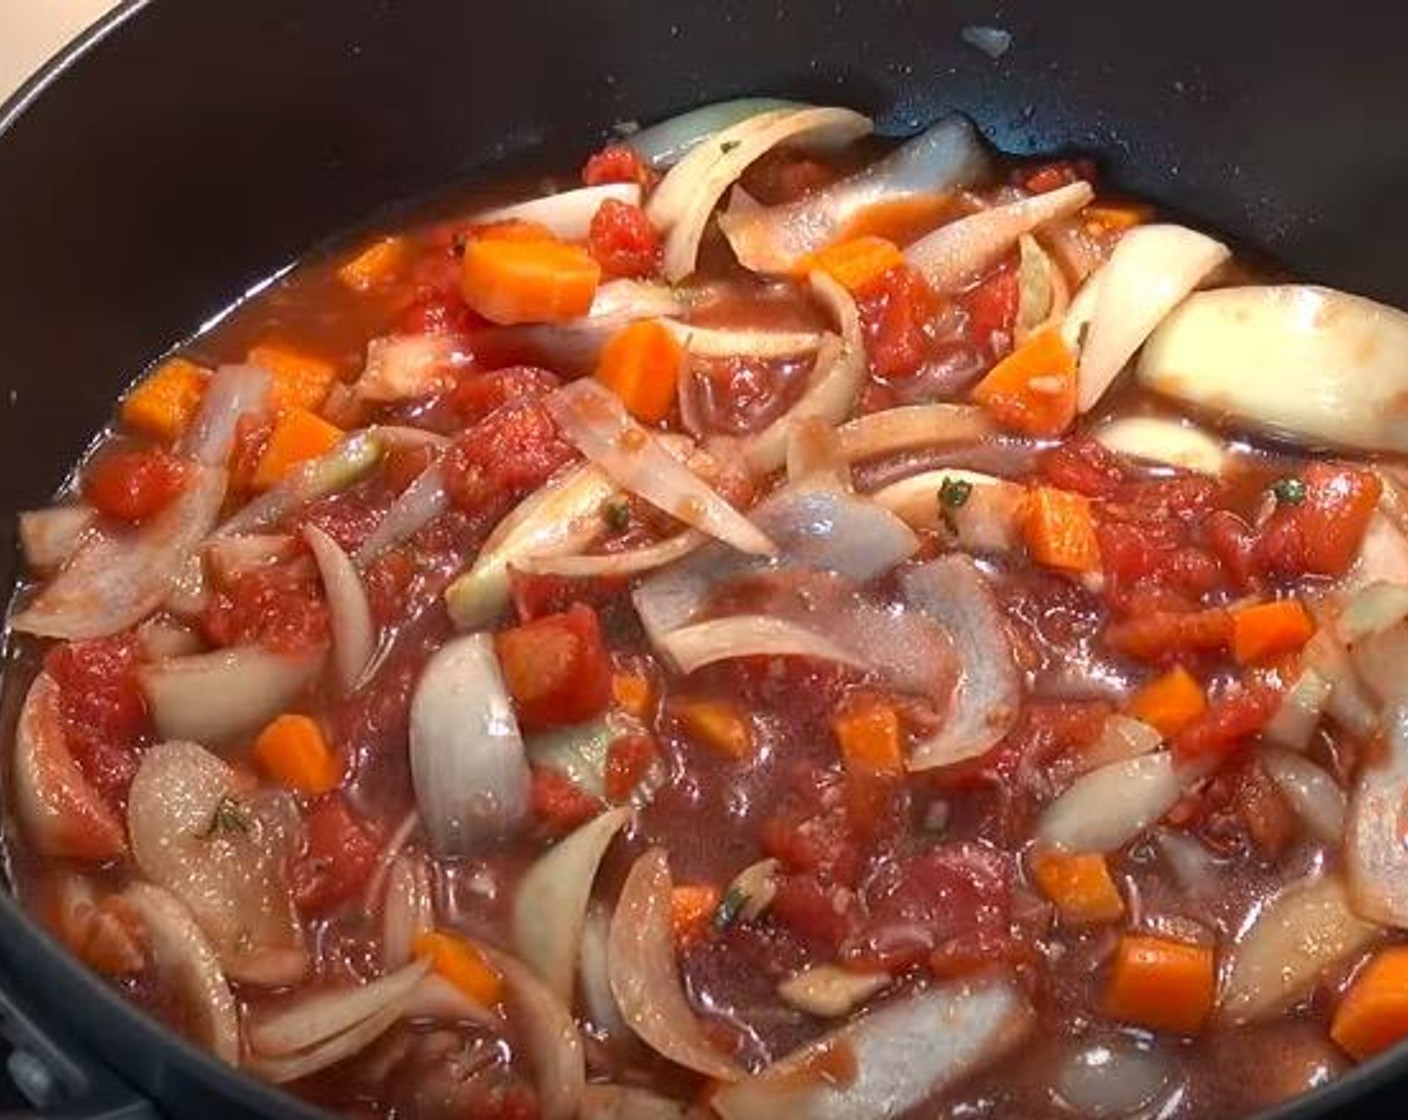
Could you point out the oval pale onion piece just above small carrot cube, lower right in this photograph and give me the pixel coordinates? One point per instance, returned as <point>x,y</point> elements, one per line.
<point>1106,809</point>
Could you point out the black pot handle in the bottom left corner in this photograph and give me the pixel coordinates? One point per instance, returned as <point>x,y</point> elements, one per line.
<point>58,1077</point>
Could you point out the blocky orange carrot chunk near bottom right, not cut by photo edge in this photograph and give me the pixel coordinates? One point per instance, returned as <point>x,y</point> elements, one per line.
<point>1161,984</point>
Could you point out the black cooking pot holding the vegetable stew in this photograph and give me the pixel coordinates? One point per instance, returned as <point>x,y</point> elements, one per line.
<point>182,151</point>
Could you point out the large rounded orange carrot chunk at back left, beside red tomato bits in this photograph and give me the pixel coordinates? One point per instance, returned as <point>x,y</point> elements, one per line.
<point>509,281</point>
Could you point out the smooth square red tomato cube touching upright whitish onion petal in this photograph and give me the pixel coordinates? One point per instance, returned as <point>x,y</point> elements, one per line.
<point>557,668</point>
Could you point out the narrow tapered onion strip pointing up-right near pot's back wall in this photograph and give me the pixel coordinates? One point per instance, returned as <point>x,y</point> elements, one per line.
<point>962,251</point>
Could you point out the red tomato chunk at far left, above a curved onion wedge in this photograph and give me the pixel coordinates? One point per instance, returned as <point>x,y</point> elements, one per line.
<point>102,709</point>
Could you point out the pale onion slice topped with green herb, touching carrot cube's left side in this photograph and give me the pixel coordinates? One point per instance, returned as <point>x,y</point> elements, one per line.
<point>991,519</point>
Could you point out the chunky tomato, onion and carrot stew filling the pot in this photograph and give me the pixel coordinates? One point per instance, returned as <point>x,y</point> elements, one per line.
<point>793,626</point>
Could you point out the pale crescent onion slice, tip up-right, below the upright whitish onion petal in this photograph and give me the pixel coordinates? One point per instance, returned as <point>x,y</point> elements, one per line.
<point>551,902</point>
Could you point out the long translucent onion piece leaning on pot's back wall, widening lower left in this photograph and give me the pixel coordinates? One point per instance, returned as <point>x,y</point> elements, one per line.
<point>945,157</point>
